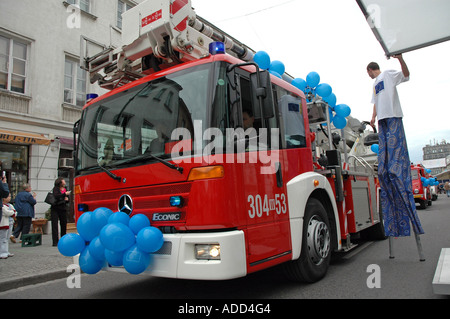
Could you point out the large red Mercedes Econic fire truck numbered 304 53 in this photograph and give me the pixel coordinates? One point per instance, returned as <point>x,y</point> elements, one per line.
<point>200,142</point>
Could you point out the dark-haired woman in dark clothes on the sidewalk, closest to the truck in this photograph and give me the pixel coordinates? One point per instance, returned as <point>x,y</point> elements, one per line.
<point>59,209</point>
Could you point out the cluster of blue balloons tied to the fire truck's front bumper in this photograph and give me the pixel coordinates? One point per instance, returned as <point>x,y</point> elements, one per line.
<point>114,238</point>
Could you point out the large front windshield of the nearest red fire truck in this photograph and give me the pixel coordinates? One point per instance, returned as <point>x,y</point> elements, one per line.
<point>141,120</point>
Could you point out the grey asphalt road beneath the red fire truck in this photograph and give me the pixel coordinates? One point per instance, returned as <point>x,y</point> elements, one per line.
<point>403,277</point>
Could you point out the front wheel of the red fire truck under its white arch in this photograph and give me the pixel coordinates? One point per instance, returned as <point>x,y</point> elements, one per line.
<point>316,246</point>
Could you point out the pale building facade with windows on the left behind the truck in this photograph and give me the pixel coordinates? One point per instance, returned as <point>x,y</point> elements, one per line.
<point>43,88</point>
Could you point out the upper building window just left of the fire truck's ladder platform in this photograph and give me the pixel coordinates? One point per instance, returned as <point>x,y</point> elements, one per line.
<point>74,83</point>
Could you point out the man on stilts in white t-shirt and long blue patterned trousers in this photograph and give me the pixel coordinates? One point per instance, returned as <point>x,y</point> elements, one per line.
<point>397,199</point>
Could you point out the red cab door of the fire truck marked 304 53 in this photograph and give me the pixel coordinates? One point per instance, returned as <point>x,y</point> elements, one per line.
<point>268,234</point>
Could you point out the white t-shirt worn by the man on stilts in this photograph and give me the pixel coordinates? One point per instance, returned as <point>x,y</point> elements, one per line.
<point>385,96</point>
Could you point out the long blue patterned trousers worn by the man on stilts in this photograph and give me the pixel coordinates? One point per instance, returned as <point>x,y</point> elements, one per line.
<point>394,173</point>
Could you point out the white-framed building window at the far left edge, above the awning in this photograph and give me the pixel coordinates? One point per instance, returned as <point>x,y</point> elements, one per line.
<point>13,64</point>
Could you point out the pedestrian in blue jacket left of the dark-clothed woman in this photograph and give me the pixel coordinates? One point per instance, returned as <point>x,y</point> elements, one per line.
<point>24,203</point>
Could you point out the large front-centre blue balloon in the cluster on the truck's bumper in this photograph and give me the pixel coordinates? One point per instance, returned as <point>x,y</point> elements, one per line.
<point>117,237</point>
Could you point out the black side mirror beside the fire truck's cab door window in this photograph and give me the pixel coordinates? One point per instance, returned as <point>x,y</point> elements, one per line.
<point>262,93</point>
